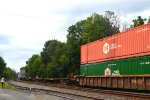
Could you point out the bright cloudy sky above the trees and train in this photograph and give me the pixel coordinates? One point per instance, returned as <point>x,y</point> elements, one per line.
<point>25,25</point>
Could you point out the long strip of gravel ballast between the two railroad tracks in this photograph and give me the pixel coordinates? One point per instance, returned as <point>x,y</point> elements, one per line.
<point>84,93</point>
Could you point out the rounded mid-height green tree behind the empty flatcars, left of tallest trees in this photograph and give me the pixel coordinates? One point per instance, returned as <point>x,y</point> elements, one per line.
<point>50,56</point>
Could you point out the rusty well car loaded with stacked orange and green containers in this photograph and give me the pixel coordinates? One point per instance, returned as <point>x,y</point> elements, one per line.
<point>118,61</point>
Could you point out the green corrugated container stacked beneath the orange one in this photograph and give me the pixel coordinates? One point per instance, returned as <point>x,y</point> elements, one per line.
<point>128,66</point>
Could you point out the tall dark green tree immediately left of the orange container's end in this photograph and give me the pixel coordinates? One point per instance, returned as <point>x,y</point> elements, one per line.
<point>73,44</point>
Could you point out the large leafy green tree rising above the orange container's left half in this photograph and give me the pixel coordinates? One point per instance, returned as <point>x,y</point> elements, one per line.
<point>98,26</point>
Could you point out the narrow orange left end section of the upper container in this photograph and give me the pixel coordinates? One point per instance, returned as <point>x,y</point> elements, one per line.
<point>84,54</point>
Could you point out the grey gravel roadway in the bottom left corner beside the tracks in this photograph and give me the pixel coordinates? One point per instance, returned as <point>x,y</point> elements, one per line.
<point>6,94</point>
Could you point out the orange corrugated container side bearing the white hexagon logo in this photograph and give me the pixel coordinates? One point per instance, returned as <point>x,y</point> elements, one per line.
<point>135,42</point>
